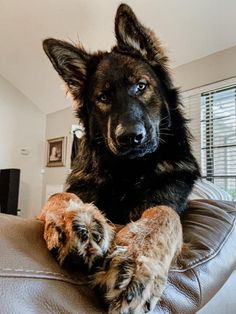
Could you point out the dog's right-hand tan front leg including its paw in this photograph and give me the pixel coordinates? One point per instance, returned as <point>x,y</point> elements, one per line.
<point>135,272</point>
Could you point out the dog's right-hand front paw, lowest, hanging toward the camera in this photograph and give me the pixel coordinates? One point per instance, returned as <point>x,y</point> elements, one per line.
<point>132,278</point>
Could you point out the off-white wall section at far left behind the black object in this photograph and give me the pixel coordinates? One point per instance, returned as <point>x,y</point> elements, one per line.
<point>22,126</point>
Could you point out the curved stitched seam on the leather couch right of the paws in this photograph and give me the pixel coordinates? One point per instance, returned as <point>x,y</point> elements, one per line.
<point>209,256</point>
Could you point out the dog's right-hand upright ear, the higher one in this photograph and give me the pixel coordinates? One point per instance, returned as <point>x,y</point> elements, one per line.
<point>132,35</point>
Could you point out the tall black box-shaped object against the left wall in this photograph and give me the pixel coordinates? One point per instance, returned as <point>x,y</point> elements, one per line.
<point>9,190</point>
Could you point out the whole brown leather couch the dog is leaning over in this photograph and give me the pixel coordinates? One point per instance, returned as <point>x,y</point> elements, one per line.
<point>32,282</point>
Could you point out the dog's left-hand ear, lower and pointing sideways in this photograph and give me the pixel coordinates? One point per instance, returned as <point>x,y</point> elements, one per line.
<point>69,61</point>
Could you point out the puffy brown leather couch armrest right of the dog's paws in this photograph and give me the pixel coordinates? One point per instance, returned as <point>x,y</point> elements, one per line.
<point>210,228</point>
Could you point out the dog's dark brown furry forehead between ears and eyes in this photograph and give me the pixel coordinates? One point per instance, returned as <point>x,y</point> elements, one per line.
<point>117,67</point>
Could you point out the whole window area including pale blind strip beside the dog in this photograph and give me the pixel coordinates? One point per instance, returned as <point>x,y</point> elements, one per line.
<point>211,111</point>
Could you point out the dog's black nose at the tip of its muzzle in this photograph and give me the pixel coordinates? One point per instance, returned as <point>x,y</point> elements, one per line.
<point>132,135</point>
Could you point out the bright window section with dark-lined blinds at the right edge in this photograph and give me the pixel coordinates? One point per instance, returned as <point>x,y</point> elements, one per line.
<point>218,137</point>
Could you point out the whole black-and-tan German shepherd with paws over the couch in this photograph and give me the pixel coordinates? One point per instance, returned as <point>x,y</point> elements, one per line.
<point>134,167</point>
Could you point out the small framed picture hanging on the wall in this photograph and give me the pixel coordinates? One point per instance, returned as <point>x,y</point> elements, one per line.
<point>56,152</point>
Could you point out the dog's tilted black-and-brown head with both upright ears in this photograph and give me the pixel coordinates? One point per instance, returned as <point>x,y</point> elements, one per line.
<point>122,96</point>
